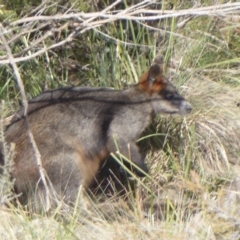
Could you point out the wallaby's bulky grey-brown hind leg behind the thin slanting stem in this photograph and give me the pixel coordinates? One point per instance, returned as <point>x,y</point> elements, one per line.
<point>65,173</point>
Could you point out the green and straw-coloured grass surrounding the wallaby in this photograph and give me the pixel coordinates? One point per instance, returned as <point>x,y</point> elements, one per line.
<point>193,192</point>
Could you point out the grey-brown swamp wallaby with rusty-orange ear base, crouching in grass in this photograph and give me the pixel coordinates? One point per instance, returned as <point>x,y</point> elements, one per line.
<point>76,128</point>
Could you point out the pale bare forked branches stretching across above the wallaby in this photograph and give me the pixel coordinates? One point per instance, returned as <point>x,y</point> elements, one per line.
<point>78,23</point>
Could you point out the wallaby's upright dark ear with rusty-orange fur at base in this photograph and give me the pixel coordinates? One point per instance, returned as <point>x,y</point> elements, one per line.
<point>153,79</point>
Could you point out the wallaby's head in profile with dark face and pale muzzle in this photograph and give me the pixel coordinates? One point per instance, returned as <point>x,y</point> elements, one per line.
<point>164,96</point>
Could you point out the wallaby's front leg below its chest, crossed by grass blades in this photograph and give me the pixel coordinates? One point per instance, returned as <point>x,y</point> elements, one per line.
<point>130,151</point>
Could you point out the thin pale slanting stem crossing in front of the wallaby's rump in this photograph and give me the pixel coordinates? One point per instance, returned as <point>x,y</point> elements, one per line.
<point>25,106</point>
